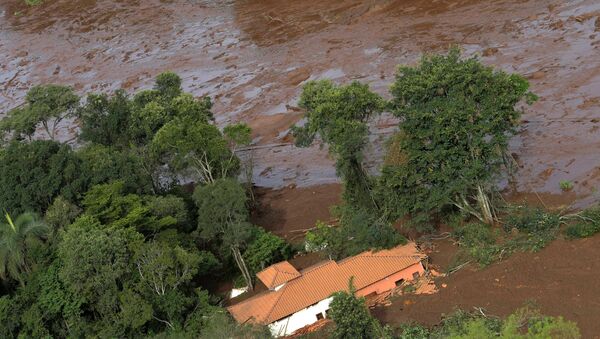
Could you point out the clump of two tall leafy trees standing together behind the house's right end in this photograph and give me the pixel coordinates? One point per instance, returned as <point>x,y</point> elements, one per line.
<point>457,116</point>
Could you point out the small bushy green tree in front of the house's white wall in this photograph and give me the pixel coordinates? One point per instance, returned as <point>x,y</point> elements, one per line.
<point>351,316</point>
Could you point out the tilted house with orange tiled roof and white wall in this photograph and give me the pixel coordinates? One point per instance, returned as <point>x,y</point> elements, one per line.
<point>297,299</point>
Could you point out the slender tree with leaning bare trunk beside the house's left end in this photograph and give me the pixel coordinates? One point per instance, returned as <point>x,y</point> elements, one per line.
<point>223,215</point>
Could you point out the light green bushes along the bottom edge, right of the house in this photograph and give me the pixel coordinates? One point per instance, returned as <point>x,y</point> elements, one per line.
<point>526,322</point>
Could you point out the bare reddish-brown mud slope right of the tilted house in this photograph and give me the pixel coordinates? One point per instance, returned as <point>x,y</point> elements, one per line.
<point>561,279</point>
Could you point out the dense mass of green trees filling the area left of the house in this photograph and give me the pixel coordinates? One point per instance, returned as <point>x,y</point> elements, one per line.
<point>122,248</point>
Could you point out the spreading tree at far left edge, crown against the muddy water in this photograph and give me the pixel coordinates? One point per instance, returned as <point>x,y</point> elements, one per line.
<point>46,105</point>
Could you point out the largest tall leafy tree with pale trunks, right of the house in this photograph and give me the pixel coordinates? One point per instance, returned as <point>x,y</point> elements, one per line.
<point>457,116</point>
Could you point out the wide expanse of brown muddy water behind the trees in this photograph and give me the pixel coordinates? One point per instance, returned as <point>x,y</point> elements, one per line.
<point>253,56</point>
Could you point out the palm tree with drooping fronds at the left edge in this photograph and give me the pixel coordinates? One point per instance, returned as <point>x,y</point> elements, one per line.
<point>14,239</point>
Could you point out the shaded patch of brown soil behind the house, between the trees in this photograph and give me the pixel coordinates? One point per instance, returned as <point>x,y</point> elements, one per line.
<point>289,211</point>
